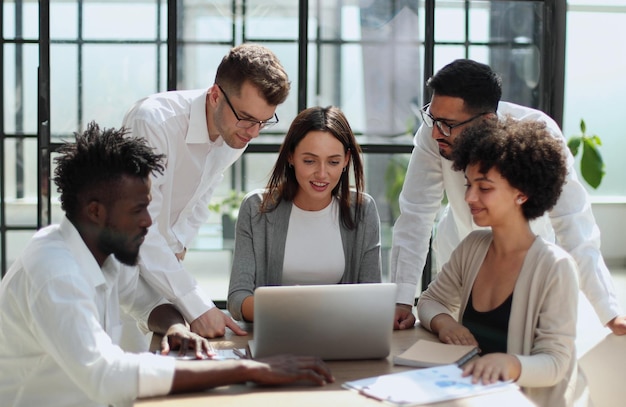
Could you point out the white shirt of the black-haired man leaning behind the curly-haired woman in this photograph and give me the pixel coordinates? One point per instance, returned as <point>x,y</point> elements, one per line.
<point>429,174</point>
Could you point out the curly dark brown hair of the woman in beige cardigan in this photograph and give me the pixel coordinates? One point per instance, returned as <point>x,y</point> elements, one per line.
<point>525,153</point>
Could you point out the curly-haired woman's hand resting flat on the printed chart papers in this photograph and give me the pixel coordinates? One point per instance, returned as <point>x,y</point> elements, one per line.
<point>493,367</point>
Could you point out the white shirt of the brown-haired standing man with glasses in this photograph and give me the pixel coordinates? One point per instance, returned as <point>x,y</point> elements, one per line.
<point>174,124</point>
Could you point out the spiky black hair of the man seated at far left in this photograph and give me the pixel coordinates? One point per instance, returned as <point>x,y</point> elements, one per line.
<point>88,168</point>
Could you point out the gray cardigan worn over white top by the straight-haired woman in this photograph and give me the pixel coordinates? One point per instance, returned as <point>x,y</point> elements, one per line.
<point>260,248</point>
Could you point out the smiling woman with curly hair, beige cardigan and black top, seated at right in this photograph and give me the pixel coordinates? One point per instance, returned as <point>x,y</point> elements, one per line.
<point>505,289</point>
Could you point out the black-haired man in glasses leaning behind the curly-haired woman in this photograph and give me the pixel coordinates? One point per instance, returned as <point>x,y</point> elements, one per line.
<point>465,92</point>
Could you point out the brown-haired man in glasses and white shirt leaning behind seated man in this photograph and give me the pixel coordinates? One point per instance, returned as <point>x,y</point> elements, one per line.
<point>202,133</point>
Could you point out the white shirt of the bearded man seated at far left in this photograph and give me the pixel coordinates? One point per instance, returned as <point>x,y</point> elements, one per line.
<point>59,328</point>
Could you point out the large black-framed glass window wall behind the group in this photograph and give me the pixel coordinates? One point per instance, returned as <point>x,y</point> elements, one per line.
<point>369,57</point>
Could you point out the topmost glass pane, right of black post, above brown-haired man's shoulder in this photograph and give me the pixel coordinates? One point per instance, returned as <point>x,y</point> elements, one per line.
<point>207,21</point>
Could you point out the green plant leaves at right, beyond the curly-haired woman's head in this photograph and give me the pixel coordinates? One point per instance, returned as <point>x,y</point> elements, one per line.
<point>591,162</point>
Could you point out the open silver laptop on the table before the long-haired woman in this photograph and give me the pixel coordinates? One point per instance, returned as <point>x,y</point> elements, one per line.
<point>333,322</point>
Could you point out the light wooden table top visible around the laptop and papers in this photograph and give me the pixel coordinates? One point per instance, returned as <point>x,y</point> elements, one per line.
<point>331,394</point>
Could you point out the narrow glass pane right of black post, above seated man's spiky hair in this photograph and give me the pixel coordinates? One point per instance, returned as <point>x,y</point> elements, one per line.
<point>64,88</point>
